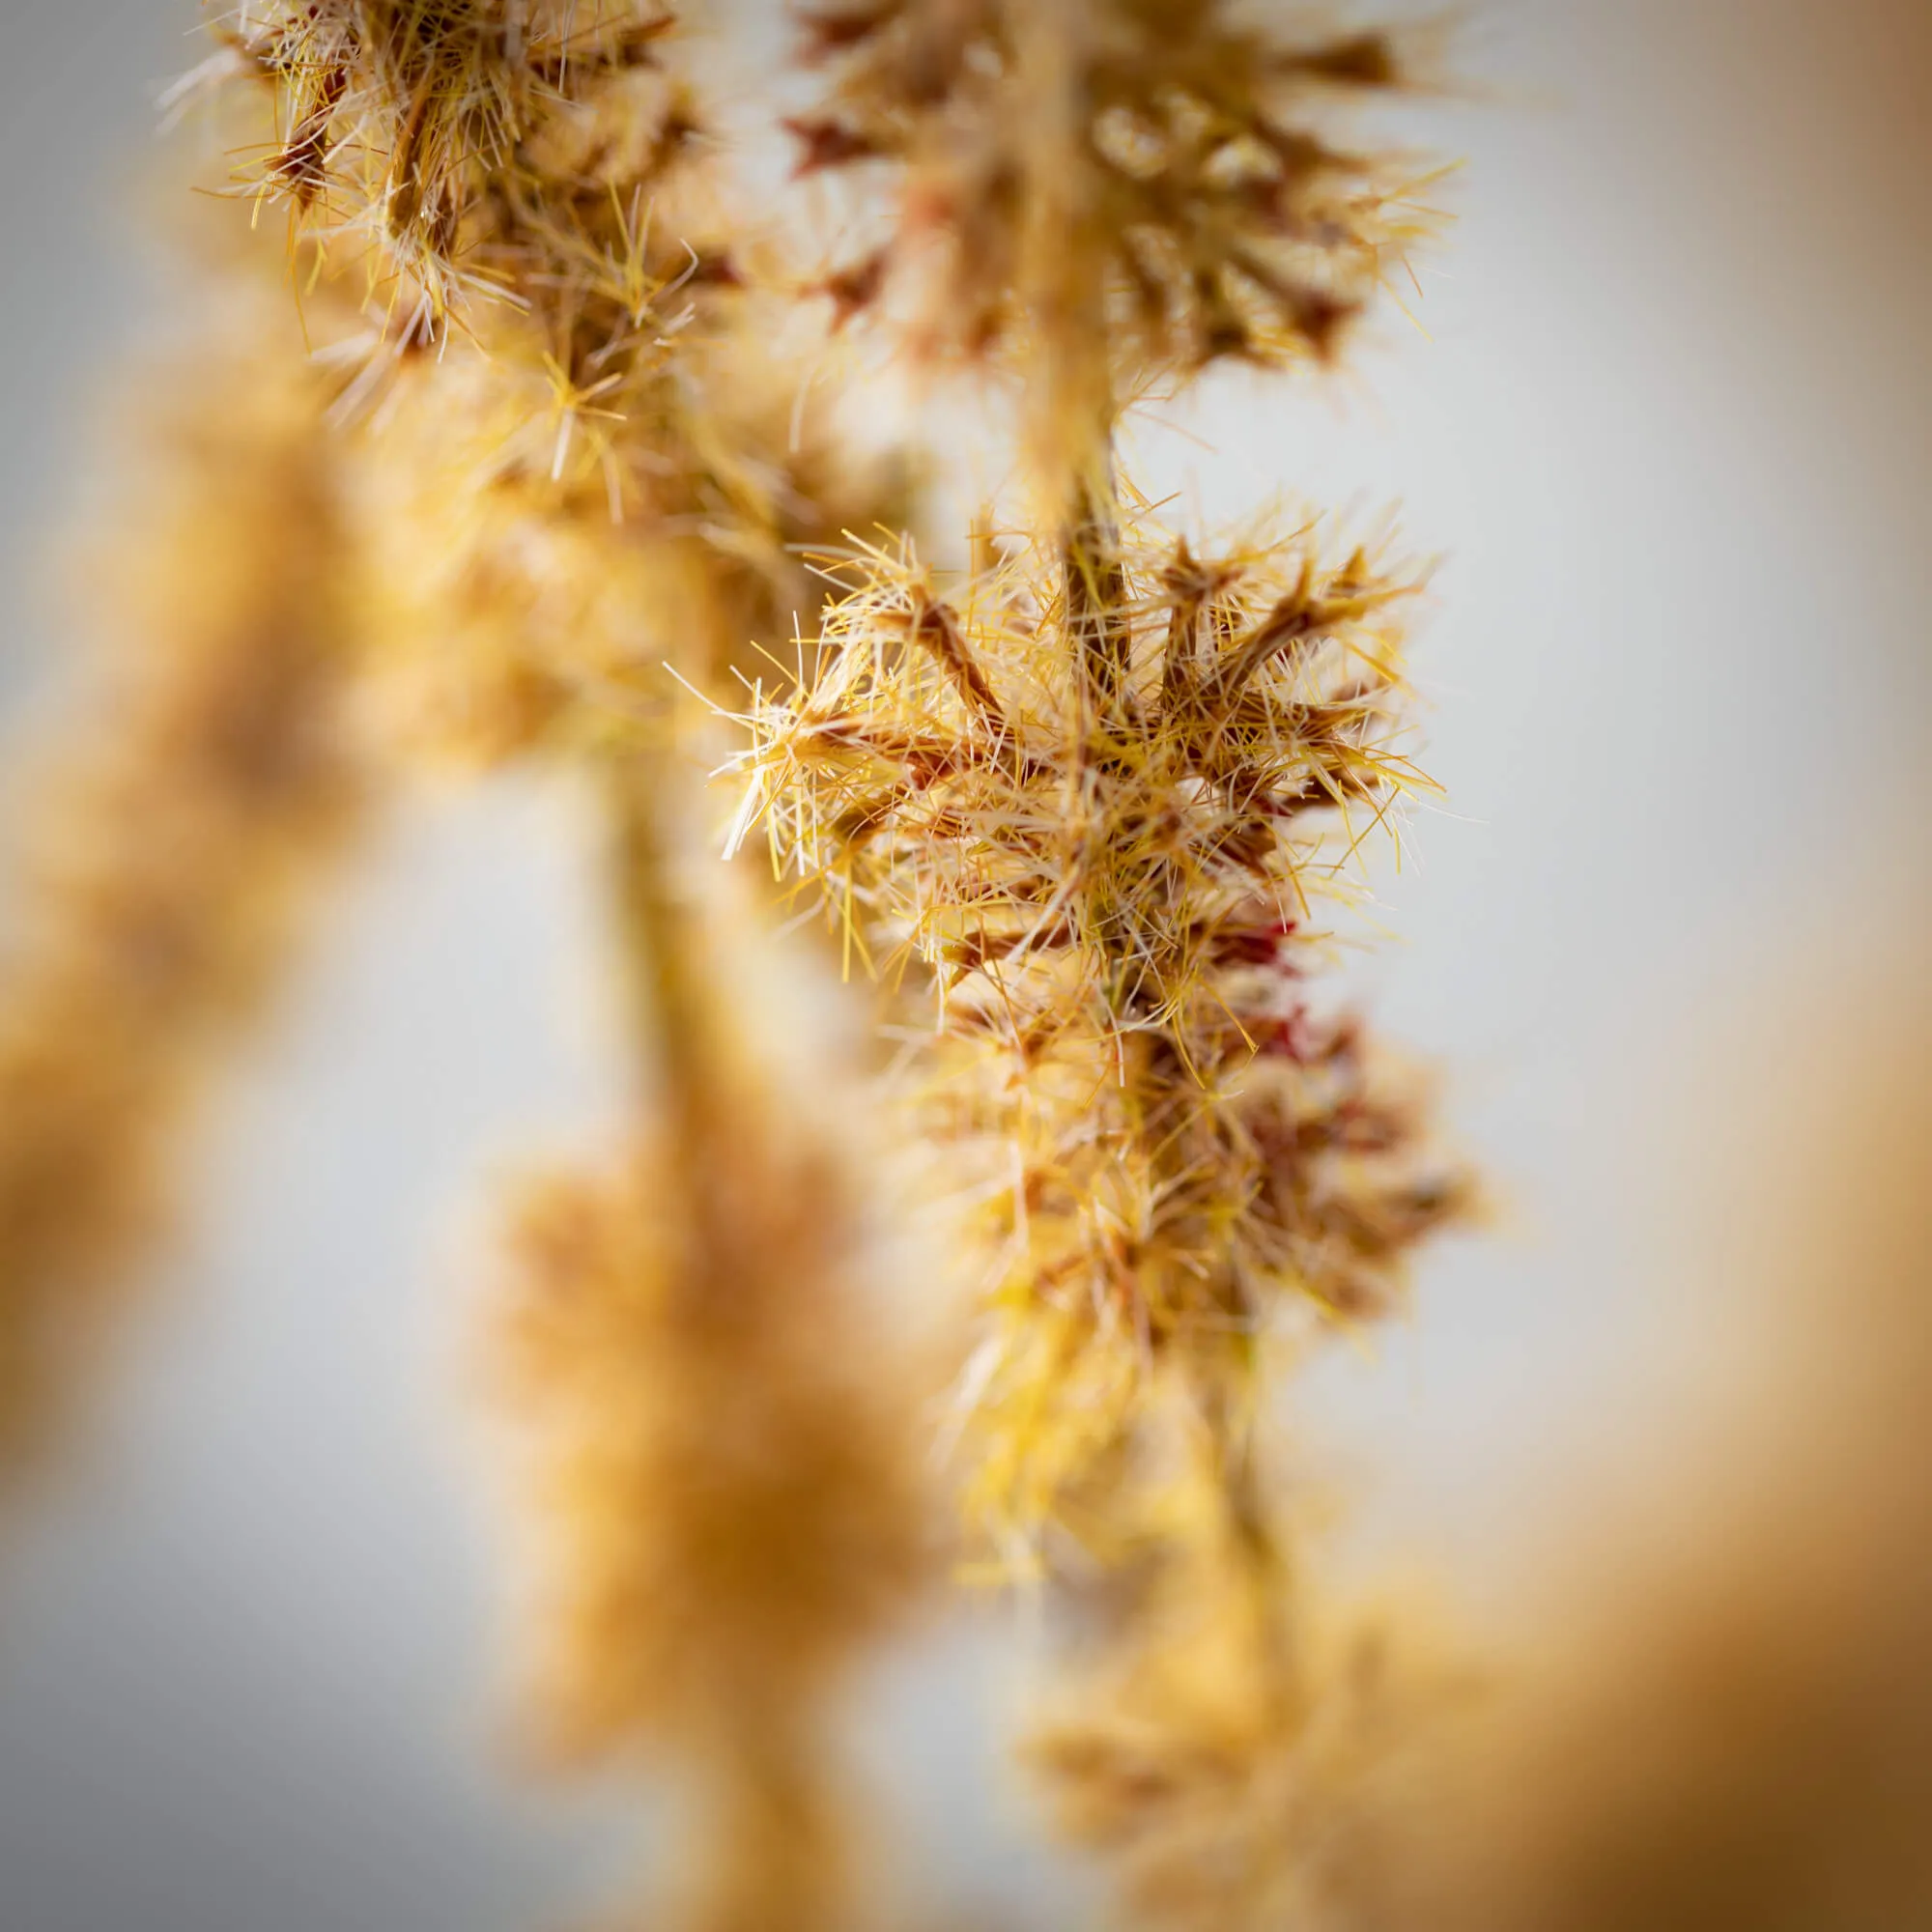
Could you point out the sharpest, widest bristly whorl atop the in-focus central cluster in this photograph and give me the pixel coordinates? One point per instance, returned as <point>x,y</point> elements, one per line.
<point>1093,809</point>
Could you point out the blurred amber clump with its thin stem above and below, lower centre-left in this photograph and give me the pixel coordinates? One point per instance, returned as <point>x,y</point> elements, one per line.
<point>743,1504</point>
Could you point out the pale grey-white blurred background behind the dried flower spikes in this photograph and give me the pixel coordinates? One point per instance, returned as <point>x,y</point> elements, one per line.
<point>1670,426</point>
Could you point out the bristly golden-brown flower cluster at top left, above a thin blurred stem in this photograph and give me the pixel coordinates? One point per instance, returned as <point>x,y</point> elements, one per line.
<point>600,465</point>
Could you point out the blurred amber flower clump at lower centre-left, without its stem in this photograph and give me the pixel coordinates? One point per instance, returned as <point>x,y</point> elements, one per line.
<point>725,1514</point>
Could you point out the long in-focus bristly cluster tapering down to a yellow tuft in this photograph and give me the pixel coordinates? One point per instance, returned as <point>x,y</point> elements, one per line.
<point>1102,805</point>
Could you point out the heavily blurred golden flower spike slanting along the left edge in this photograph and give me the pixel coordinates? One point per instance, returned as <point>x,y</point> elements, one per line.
<point>175,849</point>
